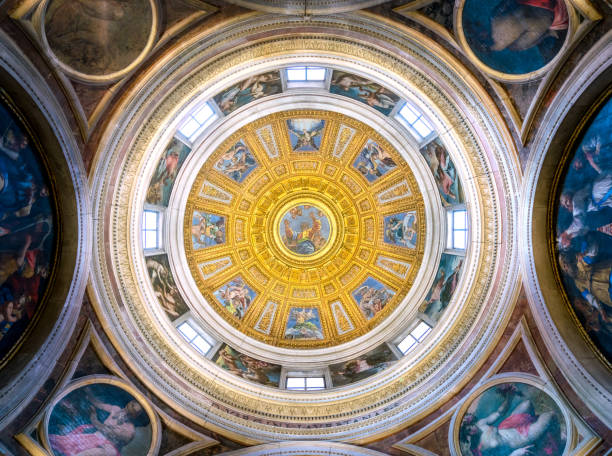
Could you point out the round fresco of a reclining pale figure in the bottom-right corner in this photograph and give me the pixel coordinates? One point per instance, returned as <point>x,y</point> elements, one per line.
<point>512,419</point>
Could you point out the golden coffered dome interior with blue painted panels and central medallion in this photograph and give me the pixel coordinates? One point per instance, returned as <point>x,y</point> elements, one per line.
<point>304,229</point>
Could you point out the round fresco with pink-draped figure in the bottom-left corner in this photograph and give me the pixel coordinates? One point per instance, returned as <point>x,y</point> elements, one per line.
<point>99,419</point>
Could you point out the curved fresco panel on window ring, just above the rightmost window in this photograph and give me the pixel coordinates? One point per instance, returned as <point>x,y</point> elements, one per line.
<point>444,172</point>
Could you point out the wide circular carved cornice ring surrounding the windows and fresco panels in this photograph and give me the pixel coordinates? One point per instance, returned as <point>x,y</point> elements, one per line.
<point>400,395</point>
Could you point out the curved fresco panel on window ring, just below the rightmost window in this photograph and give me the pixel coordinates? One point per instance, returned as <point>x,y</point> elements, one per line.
<point>444,286</point>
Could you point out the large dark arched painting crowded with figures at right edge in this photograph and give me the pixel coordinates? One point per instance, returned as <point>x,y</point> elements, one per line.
<point>584,231</point>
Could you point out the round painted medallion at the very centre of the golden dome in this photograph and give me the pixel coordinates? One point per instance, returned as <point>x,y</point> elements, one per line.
<point>304,229</point>
